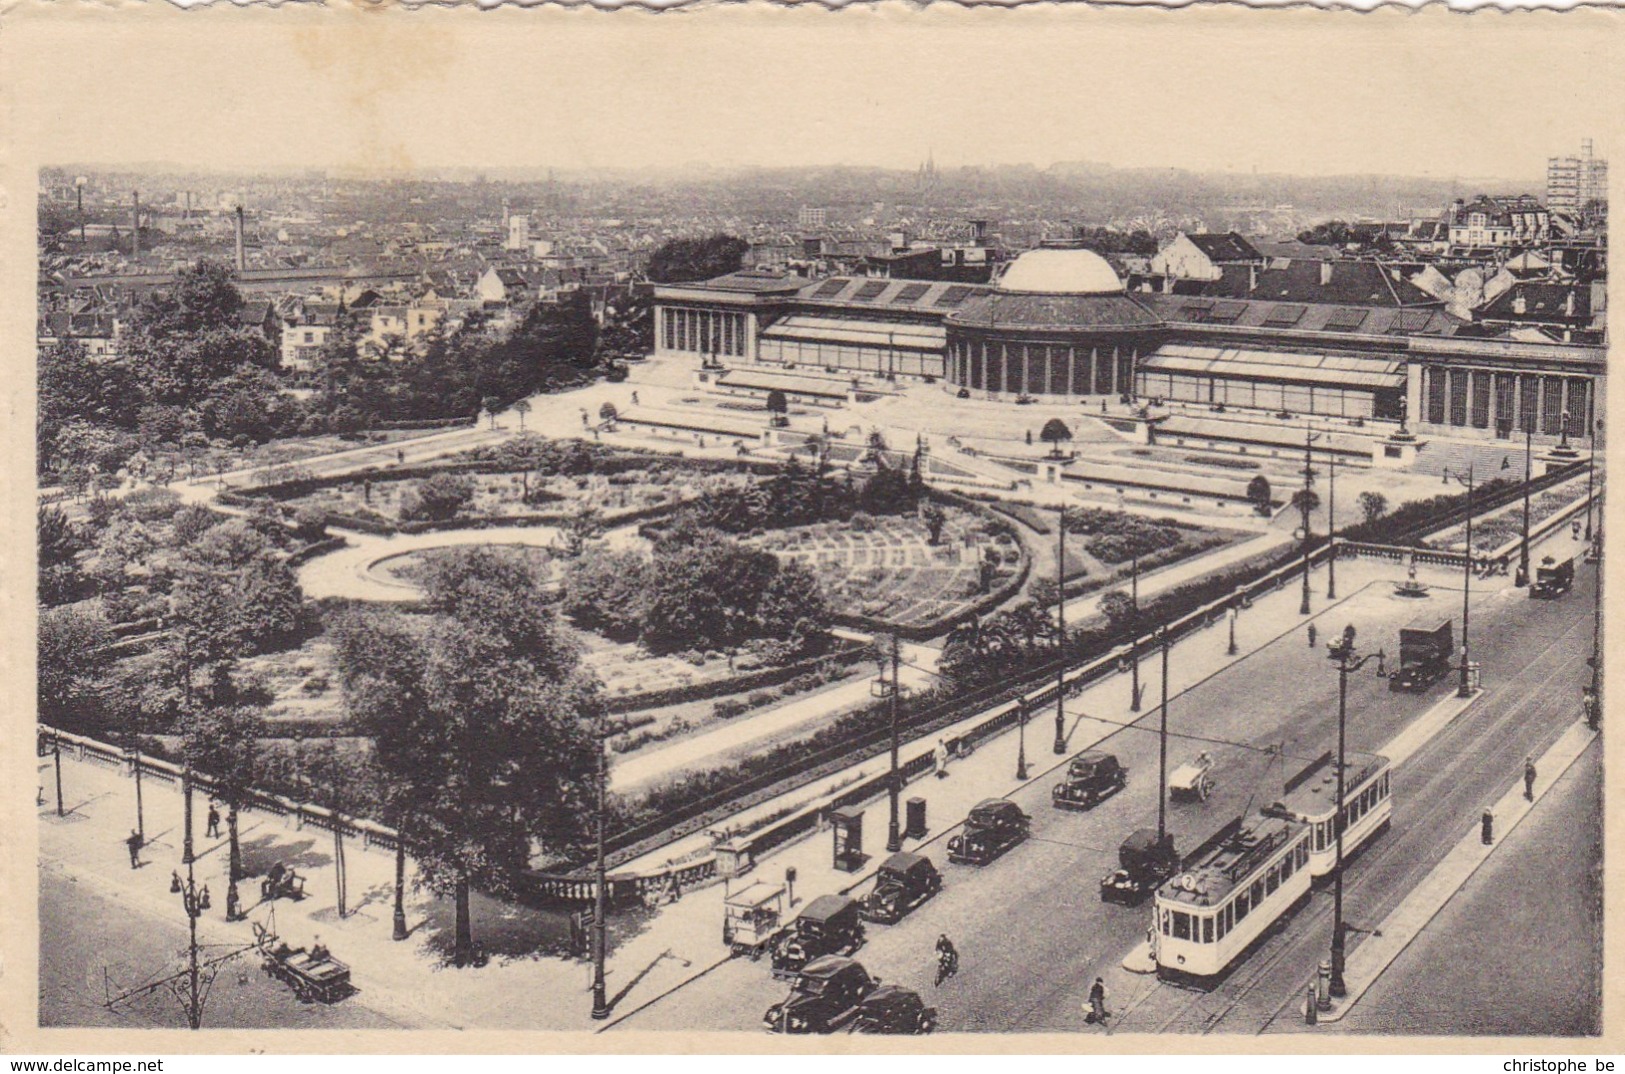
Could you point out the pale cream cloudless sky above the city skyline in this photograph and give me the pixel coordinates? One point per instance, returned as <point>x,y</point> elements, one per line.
<point>1229,90</point>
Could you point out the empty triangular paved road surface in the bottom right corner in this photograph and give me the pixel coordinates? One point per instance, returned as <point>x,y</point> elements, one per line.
<point>1437,987</point>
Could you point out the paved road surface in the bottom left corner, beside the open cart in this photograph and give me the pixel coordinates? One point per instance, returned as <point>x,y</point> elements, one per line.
<point>85,932</point>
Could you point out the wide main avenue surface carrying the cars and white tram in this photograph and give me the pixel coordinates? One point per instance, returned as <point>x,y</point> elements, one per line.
<point>1033,930</point>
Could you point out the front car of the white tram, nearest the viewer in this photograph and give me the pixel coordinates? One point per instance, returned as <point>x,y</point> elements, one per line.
<point>1234,888</point>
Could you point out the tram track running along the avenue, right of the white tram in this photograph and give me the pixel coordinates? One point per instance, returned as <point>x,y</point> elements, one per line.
<point>1293,933</point>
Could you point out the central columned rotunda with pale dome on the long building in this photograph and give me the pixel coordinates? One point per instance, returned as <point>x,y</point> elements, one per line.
<point>1059,323</point>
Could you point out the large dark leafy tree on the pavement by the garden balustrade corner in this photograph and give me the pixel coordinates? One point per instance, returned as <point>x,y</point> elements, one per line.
<point>485,721</point>
